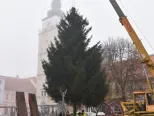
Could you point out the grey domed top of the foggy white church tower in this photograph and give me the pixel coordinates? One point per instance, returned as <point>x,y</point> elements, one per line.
<point>55,8</point>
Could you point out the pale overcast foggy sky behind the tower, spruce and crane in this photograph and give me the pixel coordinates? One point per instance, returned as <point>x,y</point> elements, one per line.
<point>21,19</point>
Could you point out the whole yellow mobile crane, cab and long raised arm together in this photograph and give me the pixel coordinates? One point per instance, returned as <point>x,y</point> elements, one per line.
<point>143,101</point>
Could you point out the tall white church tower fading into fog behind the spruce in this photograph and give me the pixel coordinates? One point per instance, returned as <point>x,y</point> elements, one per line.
<point>46,35</point>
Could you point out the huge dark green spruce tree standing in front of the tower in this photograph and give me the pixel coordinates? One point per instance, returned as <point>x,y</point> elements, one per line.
<point>74,66</point>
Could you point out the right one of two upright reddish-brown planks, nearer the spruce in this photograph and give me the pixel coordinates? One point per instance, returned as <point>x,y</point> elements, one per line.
<point>33,105</point>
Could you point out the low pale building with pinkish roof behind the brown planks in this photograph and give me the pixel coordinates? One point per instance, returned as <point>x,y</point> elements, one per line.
<point>8,88</point>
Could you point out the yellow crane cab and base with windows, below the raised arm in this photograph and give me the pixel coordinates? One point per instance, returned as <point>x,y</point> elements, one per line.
<point>142,104</point>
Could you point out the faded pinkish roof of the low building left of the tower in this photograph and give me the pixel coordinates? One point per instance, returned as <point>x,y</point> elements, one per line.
<point>19,84</point>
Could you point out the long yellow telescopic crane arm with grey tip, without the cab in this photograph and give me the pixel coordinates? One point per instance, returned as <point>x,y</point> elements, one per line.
<point>145,58</point>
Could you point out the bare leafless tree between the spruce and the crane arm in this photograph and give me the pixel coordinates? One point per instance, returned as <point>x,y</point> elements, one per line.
<point>123,64</point>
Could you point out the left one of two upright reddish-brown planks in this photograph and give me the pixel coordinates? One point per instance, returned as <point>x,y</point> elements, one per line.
<point>21,104</point>
